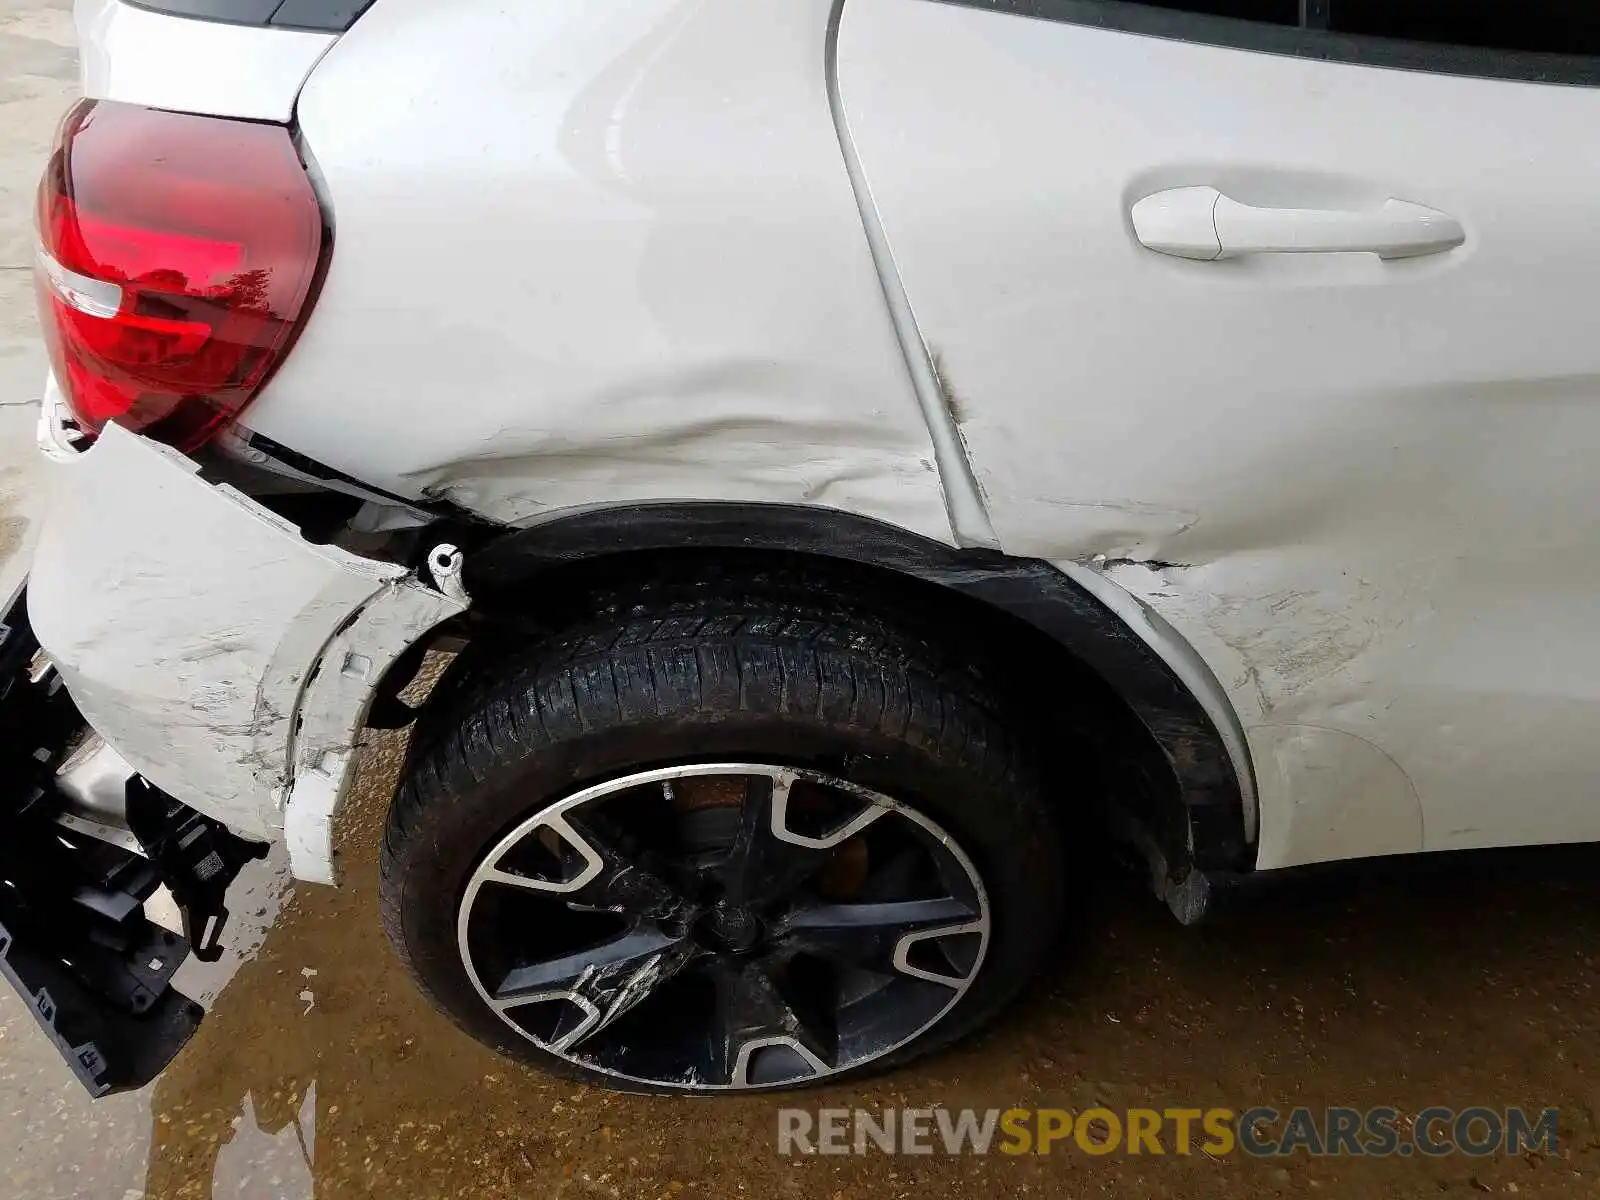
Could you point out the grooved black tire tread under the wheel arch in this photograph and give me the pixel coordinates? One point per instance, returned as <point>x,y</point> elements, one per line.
<point>676,652</point>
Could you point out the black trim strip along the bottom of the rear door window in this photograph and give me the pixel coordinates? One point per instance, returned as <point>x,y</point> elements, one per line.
<point>1130,17</point>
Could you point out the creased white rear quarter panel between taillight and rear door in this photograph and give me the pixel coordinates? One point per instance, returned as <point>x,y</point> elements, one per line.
<point>636,271</point>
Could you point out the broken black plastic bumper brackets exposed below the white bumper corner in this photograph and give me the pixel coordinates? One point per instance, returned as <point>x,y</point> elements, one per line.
<point>74,940</point>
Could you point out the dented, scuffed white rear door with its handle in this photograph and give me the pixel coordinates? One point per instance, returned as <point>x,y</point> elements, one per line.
<point>1286,326</point>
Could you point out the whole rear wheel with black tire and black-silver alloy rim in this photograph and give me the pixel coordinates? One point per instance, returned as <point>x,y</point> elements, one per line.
<point>721,844</point>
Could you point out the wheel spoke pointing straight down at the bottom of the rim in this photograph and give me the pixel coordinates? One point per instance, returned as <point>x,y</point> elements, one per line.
<point>754,1014</point>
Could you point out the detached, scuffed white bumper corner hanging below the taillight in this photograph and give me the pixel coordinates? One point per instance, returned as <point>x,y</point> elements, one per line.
<point>225,657</point>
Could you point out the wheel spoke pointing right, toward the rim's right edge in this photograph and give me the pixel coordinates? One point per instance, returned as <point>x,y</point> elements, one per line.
<point>879,937</point>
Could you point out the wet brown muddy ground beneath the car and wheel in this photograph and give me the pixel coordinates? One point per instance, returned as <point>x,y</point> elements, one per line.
<point>1465,986</point>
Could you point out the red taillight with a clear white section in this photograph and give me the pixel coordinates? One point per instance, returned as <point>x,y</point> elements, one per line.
<point>177,260</point>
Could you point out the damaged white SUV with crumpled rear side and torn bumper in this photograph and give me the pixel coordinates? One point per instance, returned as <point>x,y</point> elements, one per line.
<point>850,446</point>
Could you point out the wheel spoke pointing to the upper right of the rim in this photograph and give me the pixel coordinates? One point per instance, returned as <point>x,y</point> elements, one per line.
<point>769,858</point>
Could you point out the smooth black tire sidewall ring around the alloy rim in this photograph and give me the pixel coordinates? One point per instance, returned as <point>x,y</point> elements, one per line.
<point>1002,828</point>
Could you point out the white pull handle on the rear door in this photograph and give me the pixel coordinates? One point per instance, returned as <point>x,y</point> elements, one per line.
<point>1201,223</point>
